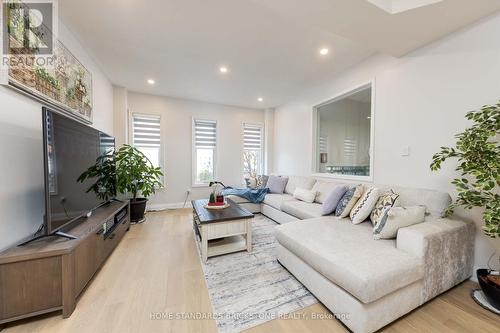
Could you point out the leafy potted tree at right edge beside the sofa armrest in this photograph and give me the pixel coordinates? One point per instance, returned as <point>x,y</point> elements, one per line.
<point>478,153</point>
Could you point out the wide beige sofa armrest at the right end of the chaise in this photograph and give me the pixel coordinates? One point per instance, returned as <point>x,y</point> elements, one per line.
<point>446,248</point>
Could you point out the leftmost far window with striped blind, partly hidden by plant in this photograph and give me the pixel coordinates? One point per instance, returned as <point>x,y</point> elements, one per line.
<point>146,137</point>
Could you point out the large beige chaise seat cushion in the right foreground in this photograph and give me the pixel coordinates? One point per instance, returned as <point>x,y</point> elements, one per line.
<point>347,255</point>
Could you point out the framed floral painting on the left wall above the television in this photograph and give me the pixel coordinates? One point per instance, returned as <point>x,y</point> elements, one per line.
<point>52,75</point>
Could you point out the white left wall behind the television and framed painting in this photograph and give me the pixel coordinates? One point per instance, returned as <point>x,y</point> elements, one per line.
<point>21,166</point>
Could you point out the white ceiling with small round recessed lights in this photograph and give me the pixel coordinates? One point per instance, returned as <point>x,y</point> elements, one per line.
<point>269,46</point>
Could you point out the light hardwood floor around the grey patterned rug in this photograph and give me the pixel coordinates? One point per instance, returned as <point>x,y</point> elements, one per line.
<point>156,270</point>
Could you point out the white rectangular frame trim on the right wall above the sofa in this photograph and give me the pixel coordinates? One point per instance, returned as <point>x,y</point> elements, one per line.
<point>315,132</point>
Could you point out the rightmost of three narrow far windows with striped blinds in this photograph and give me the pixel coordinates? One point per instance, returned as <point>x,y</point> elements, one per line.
<point>253,152</point>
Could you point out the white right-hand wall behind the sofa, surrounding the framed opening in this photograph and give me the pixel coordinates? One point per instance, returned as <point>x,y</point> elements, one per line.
<point>421,100</point>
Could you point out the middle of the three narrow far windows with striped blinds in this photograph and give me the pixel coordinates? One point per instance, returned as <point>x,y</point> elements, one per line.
<point>204,151</point>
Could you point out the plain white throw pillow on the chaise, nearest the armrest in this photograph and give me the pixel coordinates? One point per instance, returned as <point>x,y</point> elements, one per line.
<point>396,218</point>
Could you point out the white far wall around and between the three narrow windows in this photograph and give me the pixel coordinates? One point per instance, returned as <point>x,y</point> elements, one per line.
<point>176,122</point>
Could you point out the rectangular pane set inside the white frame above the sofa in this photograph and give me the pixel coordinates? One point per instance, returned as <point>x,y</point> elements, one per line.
<point>344,135</point>
